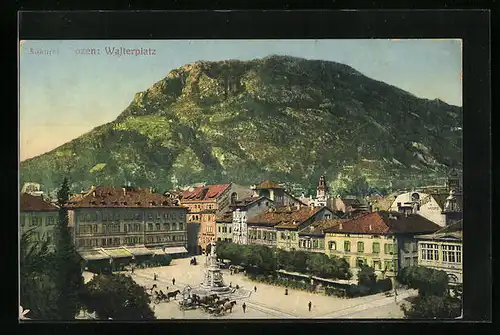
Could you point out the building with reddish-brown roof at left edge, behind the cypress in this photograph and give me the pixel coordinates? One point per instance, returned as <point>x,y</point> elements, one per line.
<point>39,215</point>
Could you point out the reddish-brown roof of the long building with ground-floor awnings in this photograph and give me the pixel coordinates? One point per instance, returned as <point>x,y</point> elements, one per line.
<point>120,197</point>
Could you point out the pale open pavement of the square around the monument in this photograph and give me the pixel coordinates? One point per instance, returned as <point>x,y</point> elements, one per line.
<point>267,301</point>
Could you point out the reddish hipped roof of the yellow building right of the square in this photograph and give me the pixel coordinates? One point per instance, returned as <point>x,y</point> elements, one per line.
<point>384,222</point>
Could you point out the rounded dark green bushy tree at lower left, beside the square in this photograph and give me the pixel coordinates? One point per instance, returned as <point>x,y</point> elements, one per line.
<point>118,297</point>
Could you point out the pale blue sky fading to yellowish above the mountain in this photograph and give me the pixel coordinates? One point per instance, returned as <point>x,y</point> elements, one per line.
<point>64,93</point>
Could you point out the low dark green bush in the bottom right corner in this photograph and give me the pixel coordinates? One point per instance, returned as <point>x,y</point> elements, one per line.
<point>433,306</point>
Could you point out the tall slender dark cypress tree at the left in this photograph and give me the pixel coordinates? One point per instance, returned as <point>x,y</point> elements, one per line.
<point>67,263</point>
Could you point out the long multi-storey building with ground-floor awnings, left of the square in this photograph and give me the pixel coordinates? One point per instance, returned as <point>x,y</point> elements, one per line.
<point>127,222</point>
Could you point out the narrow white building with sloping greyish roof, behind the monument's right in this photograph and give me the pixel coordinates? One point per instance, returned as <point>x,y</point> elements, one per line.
<point>244,210</point>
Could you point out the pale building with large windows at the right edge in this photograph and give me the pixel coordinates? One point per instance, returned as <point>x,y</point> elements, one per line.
<point>442,250</point>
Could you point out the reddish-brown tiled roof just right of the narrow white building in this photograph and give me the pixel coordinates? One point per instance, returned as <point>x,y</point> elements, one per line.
<point>284,217</point>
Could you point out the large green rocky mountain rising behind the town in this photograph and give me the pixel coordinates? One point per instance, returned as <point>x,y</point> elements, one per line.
<point>279,117</point>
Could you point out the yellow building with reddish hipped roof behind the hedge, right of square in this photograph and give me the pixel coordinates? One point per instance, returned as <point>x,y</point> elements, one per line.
<point>382,240</point>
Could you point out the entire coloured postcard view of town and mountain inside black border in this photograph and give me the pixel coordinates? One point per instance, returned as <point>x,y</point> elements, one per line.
<point>242,180</point>
